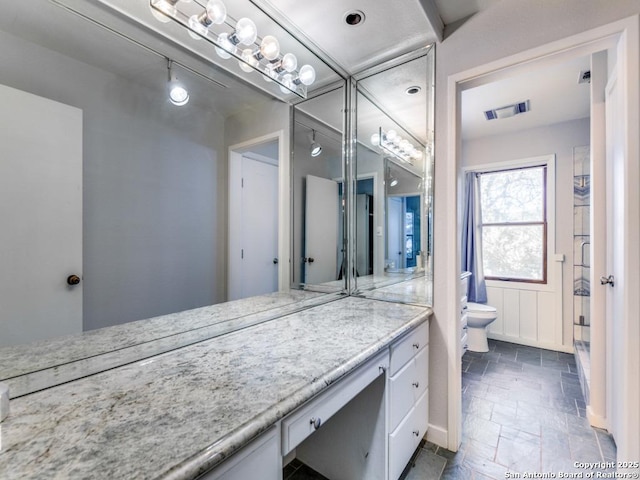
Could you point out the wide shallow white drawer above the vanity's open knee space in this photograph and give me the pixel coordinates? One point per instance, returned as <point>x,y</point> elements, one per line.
<point>310,416</point>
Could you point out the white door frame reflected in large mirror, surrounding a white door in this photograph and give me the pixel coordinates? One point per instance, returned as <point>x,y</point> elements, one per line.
<point>236,151</point>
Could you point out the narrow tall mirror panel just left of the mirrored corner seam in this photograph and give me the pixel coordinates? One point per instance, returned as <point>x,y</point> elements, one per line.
<point>318,205</point>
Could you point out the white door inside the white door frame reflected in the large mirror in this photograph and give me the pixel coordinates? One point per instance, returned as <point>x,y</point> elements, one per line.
<point>259,253</point>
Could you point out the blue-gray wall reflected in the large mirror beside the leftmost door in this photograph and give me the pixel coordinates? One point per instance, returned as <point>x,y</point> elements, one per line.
<point>152,193</point>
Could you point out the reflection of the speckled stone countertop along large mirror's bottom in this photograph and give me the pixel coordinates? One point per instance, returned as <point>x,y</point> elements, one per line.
<point>32,367</point>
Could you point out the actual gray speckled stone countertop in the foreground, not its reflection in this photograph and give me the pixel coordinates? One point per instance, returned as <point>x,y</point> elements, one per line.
<point>180,413</point>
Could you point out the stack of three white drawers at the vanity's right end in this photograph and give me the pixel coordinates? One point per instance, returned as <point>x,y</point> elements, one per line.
<point>408,397</point>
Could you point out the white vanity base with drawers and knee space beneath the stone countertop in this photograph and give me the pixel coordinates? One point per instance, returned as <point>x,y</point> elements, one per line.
<point>365,426</point>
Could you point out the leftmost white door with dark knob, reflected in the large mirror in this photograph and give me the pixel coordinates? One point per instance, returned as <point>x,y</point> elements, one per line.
<point>40,217</point>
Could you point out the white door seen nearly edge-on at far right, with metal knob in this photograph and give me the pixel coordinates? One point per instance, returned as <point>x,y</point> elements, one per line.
<point>615,186</point>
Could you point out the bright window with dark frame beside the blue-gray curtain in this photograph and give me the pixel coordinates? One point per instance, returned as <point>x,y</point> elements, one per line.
<point>514,224</point>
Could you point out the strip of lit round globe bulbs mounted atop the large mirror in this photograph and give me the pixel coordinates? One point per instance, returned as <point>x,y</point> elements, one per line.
<point>238,39</point>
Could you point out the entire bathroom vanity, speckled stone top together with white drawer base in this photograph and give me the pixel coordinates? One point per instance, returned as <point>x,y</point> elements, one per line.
<point>341,385</point>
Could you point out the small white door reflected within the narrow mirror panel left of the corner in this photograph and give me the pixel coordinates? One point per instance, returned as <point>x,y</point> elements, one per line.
<point>321,230</point>
